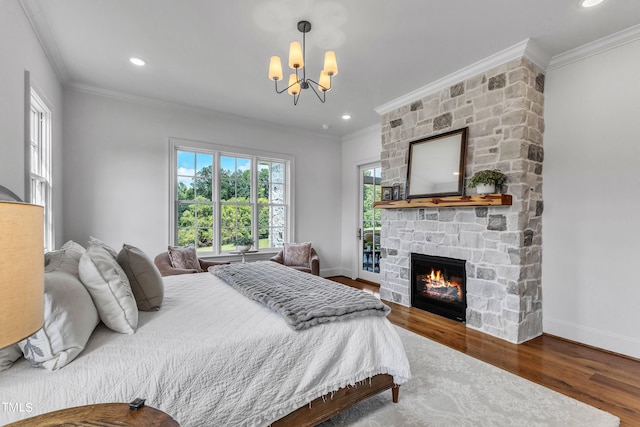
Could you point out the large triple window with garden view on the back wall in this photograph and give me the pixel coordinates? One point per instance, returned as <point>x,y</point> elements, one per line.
<point>221,195</point>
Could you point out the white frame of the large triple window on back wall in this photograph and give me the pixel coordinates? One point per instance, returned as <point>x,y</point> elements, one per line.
<point>218,150</point>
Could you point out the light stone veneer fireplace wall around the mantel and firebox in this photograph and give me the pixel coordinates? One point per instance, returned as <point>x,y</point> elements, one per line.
<point>503,109</point>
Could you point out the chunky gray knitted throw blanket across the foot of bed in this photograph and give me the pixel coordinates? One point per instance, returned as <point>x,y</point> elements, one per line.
<point>302,299</point>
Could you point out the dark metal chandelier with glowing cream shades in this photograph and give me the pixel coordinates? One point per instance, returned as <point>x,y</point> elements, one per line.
<point>298,80</point>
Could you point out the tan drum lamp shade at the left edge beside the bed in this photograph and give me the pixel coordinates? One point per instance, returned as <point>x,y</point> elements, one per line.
<point>21,271</point>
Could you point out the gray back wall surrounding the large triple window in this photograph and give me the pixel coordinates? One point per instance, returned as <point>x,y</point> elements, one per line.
<point>117,174</point>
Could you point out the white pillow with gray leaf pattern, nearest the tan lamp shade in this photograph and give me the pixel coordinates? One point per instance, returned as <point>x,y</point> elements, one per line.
<point>69,319</point>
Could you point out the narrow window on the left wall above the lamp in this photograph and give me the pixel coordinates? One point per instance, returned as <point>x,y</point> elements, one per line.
<point>40,163</point>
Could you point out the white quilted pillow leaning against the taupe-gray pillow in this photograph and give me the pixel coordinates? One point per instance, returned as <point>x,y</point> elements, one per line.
<point>110,289</point>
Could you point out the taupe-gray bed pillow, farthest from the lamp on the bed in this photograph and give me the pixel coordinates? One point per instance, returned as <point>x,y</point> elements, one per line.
<point>144,277</point>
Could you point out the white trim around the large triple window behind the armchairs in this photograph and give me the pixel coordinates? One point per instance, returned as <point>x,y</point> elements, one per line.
<point>176,144</point>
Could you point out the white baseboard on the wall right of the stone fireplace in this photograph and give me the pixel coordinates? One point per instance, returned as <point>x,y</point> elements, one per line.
<point>626,346</point>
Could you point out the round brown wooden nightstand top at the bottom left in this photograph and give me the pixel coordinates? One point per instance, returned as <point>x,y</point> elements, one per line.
<point>104,414</point>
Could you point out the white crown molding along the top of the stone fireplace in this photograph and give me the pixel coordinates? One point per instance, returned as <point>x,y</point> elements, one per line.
<point>525,48</point>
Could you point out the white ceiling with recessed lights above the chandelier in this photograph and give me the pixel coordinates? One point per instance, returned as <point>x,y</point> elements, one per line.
<point>214,54</point>
